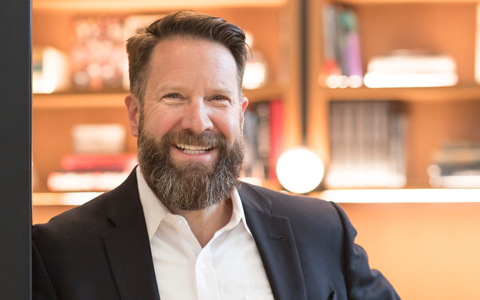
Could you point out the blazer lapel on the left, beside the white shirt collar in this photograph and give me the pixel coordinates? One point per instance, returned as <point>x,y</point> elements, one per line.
<point>128,246</point>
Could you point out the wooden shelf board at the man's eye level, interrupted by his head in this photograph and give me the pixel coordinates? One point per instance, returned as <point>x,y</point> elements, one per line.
<point>115,100</point>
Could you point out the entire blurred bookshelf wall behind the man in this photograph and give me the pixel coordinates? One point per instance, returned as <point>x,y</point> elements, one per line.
<point>384,93</point>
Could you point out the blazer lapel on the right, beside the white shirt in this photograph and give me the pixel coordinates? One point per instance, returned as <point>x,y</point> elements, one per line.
<point>276,245</point>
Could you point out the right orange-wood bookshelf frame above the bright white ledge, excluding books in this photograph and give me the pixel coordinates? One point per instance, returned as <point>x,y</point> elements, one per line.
<point>434,114</point>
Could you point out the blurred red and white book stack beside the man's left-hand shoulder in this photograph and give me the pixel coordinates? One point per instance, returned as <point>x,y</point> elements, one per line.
<point>98,163</point>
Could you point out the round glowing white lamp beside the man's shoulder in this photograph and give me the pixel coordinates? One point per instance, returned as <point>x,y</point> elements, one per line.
<point>299,170</point>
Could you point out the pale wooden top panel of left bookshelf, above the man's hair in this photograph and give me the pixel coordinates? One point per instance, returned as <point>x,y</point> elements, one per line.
<point>145,5</point>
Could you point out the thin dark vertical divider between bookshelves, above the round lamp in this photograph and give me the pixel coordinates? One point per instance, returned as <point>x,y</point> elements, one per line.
<point>304,66</point>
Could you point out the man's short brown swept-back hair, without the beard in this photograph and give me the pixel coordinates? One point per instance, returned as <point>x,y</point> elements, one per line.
<point>184,24</point>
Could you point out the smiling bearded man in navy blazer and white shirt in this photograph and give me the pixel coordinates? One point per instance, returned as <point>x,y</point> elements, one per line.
<point>178,228</point>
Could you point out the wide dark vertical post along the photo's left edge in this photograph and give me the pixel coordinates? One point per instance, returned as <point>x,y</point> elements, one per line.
<point>15,149</point>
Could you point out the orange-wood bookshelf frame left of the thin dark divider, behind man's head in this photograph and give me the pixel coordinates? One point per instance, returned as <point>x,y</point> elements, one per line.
<point>273,24</point>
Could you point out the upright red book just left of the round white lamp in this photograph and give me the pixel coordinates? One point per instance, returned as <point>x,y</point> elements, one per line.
<point>276,134</point>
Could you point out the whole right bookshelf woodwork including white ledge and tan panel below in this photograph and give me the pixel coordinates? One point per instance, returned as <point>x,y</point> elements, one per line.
<point>425,248</point>
